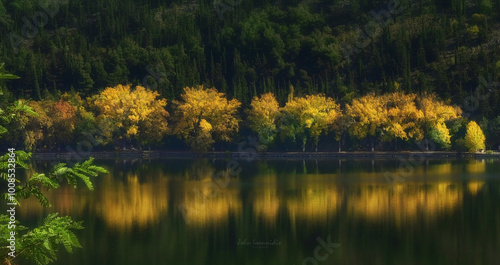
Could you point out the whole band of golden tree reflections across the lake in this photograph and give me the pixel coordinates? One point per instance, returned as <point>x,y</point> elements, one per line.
<point>311,198</point>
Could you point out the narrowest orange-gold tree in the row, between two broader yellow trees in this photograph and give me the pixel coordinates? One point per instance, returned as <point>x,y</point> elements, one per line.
<point>262,116</point>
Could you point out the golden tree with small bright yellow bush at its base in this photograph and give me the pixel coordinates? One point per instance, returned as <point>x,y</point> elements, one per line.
<point>204,116</point>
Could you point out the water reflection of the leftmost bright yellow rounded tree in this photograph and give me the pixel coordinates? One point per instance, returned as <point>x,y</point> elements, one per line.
<point>123,205</point>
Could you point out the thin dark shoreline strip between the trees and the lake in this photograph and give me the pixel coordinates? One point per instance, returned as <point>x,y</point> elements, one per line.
<point>262,155</point>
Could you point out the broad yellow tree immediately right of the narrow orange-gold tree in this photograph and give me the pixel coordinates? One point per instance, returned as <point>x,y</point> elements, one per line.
<point>308,117</point>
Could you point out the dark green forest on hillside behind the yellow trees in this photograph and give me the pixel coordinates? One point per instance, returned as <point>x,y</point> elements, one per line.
<point>344,50</point>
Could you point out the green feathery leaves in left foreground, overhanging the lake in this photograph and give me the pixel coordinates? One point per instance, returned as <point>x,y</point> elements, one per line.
<point>38,245</point>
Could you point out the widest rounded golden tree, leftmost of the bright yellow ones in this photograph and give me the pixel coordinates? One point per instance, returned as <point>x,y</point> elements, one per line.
<point>131,114</point>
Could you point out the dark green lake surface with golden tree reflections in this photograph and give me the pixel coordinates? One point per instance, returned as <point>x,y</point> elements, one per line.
<point>284,212</point>
